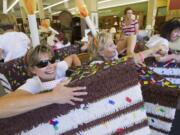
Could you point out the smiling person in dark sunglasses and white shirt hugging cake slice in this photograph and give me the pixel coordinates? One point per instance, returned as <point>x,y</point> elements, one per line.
<point>47,74</point>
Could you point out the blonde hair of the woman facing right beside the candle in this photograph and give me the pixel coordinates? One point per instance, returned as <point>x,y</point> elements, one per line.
<point>99,44</point>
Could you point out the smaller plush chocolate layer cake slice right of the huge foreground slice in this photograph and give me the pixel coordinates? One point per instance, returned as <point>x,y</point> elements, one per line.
<point>161,98</point>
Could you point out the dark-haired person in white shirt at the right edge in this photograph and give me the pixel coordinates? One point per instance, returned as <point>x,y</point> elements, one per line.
<point>170,32</point>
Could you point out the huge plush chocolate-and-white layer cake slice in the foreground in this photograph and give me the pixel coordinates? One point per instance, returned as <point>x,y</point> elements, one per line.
<point>114,105</point>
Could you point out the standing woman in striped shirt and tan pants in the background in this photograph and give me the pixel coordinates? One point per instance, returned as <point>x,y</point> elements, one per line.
<point>129,33</point>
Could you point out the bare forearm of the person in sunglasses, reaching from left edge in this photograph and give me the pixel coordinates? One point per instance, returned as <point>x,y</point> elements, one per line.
<point>20,102</point>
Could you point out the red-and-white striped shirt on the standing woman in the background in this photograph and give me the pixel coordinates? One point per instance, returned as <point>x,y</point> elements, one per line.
<point>129,29</point>
